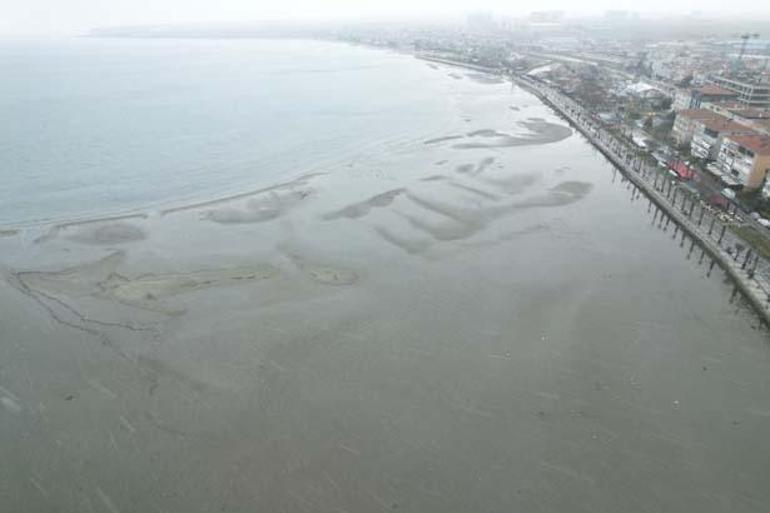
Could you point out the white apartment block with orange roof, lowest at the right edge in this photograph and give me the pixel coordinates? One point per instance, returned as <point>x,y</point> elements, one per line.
<point>746,158</point>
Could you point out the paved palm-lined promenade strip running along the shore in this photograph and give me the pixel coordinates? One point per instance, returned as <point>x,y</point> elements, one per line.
<point>641,177</point>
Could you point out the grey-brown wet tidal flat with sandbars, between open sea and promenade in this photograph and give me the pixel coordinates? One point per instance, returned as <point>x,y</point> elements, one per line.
<point>513,334</point>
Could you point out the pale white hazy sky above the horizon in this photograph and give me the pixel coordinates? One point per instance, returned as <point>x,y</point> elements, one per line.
<point>73,16</point>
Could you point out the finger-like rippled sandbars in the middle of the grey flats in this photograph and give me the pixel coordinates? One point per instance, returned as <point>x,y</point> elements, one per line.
<point>431,213</point>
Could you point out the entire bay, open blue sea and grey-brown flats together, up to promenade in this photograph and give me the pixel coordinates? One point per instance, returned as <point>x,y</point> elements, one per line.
<point>354,281</point>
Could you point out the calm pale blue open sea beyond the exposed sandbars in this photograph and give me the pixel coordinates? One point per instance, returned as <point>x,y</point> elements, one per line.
<point>93,126</point>
